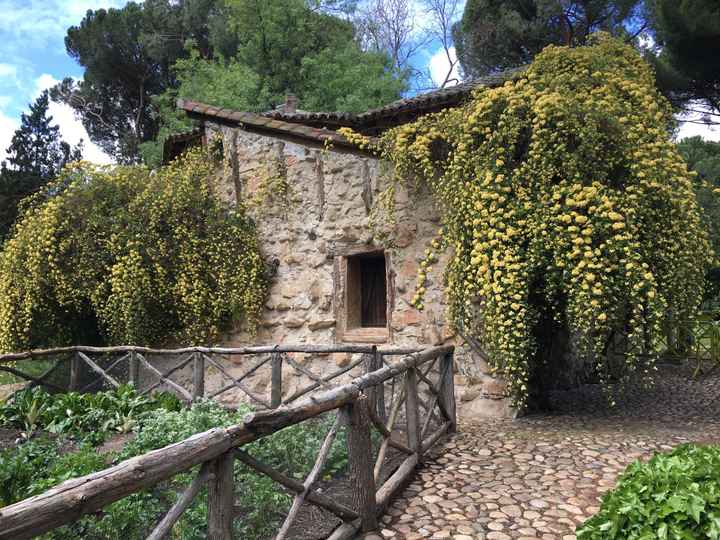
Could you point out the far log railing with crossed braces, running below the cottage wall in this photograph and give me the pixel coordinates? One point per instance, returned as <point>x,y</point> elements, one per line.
<point>92,368</point>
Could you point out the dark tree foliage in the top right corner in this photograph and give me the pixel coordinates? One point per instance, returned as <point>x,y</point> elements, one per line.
<point>687,58</point>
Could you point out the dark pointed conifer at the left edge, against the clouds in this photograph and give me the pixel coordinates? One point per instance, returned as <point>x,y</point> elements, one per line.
<point>36,155</point>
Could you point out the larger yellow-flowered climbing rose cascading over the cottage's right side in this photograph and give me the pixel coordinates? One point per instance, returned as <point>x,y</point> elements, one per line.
<point>564,200</point>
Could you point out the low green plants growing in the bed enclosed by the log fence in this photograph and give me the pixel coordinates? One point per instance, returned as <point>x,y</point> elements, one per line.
<point>39,464</point>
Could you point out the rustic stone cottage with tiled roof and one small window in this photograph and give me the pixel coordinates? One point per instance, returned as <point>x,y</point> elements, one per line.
<point>336,280</point>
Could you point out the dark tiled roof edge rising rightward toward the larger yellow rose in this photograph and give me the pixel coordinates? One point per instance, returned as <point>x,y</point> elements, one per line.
<point>415,106</point>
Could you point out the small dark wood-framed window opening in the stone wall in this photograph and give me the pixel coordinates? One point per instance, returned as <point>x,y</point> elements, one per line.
<point>367,291</point>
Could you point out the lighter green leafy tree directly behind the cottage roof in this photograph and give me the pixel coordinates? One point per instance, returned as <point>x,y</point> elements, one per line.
<point>284,46</point>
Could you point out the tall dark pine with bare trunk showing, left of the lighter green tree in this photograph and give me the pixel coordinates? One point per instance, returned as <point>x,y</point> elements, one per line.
<point>127,55</point>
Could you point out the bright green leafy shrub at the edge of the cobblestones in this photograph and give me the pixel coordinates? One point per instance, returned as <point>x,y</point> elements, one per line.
<point>674,496</point>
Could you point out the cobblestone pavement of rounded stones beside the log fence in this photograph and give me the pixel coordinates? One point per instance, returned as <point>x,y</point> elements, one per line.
<point>540,476</point>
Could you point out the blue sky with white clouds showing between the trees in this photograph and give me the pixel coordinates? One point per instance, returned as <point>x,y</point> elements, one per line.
<point>33,57</point>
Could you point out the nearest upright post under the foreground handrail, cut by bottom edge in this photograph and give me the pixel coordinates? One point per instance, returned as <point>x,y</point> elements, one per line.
<point>221,498</point>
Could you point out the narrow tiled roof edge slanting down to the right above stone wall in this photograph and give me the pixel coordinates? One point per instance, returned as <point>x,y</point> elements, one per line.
<point>263,123</point>
